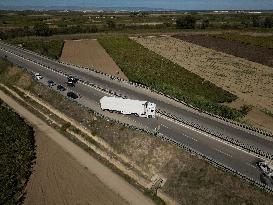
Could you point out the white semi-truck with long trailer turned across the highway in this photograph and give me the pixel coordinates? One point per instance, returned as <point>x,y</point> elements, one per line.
<point>128,106</point>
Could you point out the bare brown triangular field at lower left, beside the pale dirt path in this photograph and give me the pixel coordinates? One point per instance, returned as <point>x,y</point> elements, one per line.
<point>59,179</point>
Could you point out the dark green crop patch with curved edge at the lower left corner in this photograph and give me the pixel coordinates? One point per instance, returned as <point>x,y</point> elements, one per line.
<point>17,152</point>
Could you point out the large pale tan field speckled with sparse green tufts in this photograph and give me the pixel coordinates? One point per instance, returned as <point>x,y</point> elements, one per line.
<point>250,81</point>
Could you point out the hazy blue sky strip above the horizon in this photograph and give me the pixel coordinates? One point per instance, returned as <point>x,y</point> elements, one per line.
<point>164,4</point>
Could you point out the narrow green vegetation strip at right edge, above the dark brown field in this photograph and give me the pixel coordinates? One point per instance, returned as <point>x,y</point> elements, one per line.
<point>259,41</point>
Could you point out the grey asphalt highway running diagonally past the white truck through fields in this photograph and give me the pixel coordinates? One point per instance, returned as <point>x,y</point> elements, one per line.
<point>207,136</point>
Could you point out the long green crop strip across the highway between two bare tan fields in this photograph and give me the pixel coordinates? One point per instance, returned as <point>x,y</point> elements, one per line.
<point>146,67</point>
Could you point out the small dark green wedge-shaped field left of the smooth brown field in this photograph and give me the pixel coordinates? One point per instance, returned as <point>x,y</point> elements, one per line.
<point>50,48</point>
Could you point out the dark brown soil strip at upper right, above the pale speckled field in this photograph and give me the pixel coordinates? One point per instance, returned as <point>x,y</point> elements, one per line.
<point>252,53</point>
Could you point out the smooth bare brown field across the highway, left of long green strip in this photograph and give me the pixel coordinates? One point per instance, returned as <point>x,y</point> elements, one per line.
<point>89,53</point>
